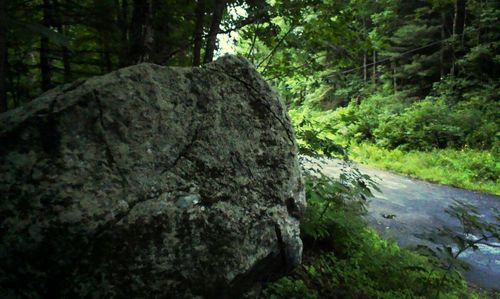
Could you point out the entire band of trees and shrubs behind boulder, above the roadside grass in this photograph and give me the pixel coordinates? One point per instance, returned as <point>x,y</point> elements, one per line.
<point>423,65</point>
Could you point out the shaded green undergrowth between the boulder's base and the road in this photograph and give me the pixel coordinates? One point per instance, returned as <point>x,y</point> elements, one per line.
<point>345,259</point>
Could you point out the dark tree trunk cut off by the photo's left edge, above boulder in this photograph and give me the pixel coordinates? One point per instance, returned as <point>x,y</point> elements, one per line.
<point>3,57</point>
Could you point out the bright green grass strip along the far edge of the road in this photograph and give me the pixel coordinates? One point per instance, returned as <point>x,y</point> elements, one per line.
<point>467,168</point>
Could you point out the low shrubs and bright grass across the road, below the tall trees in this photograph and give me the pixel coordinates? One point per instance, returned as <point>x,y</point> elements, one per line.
<point>401,130</point>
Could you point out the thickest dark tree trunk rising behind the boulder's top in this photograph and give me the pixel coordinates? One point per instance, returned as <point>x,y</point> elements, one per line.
<point>141,32</point>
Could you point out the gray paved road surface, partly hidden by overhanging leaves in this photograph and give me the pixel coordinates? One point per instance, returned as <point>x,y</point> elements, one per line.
<point>406,208</point>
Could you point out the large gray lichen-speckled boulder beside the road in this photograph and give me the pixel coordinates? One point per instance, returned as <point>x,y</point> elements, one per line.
<point>149,182</point>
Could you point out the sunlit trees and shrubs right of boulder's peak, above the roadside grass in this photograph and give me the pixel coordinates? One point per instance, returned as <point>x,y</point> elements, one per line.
<point>413,75</point>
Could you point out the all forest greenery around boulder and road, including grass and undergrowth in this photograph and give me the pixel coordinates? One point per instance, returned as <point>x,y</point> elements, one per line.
<point>407,86</point>
